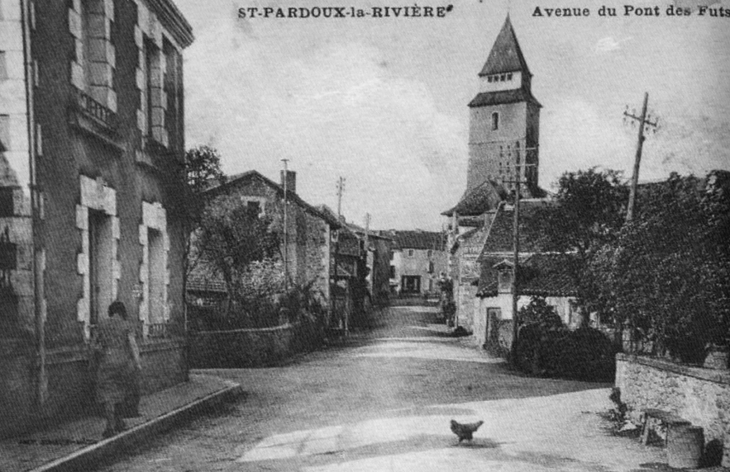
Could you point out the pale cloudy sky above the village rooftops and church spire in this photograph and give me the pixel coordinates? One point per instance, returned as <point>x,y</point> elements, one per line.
<point>382,102</point>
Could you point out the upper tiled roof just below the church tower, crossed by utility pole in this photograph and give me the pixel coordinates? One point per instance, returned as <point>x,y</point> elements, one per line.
<point>500,239</point>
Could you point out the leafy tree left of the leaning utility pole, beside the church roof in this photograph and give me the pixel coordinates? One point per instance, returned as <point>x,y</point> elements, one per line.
<point>586,214</point>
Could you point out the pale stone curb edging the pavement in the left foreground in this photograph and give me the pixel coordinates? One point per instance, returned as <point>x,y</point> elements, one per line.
<point>85,458</point>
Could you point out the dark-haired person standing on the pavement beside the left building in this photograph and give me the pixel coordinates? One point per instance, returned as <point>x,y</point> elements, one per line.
<point>119,366</point>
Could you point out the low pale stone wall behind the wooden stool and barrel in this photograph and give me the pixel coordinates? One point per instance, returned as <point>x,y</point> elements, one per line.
<point>699,395</point>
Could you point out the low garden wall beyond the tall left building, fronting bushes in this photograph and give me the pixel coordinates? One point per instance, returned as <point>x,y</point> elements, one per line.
<point>252,347</point>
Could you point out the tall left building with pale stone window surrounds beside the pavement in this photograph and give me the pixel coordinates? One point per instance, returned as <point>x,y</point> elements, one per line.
<point>91,138</point>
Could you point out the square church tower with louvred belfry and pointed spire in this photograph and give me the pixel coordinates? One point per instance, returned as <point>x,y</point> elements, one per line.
<point>504,120</point>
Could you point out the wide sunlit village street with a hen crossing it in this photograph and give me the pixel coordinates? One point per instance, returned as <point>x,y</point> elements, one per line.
<point>383,401</point>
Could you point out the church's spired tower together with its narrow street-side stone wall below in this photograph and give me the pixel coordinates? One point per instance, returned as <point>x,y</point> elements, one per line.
<point>504,123</point>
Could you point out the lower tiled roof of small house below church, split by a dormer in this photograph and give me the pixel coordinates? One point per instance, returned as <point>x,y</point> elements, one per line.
<point>545,275</point>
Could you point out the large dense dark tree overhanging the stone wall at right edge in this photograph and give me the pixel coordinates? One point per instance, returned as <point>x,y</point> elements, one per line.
<point>668,273</point>
